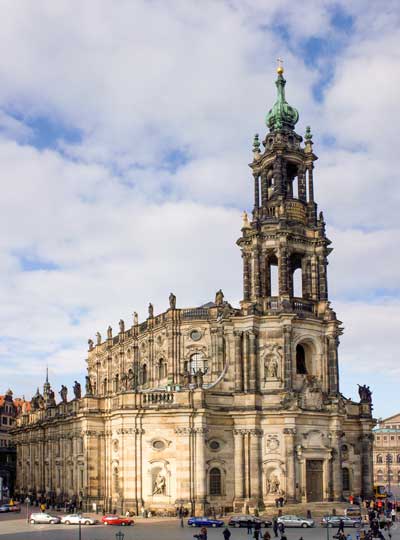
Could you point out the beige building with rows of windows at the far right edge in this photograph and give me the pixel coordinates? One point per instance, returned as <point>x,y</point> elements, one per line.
<point>387,453</point>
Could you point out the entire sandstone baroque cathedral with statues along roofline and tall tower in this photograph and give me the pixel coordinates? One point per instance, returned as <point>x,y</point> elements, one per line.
<point>218,406</point>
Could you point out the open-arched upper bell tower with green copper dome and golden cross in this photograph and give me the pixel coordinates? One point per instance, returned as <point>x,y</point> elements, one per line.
<point>284,247</point>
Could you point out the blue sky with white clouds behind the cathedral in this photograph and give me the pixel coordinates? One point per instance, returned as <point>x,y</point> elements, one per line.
<point>125,136</point>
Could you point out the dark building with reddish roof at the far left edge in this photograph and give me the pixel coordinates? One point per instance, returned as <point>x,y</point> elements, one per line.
<point>9,409</point>
